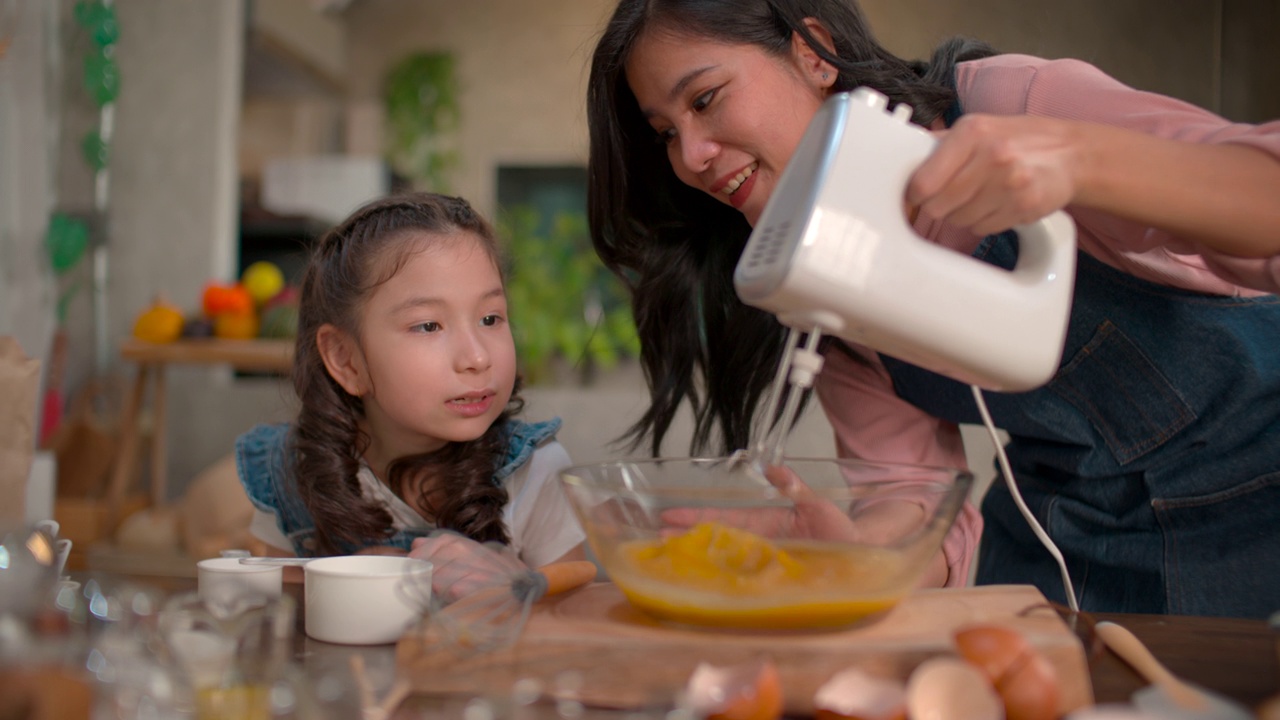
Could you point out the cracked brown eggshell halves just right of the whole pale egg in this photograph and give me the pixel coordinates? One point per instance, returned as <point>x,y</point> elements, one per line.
<point>1025,678</point>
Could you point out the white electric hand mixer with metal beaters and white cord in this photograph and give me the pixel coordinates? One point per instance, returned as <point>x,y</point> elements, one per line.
<point>834,254</point>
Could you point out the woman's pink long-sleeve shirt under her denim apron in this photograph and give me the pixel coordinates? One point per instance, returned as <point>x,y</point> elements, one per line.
<point>868,418</point>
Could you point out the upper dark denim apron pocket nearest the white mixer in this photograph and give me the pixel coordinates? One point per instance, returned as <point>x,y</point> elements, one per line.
<point>1126,398</point>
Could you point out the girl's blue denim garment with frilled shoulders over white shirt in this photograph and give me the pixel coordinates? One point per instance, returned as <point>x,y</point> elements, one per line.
<point>264,468</point>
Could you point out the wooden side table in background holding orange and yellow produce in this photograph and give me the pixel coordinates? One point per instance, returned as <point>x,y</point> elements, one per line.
<point>153,359</point>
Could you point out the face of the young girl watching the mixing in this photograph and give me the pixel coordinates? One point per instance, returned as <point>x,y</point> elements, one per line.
<point>437,350</point>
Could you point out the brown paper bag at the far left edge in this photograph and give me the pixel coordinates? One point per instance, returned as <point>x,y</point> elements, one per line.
<point>20,388</point>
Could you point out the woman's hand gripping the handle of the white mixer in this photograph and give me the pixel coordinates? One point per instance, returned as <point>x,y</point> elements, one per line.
<point>990,174</point>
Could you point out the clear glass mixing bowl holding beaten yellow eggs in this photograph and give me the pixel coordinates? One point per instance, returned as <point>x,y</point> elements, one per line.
<point>714,544</point>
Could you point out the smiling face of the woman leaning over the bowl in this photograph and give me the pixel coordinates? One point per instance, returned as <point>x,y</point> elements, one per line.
<point>732,116</point>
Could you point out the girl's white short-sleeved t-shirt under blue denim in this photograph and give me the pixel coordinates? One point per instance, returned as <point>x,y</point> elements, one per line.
<point>538,516</point>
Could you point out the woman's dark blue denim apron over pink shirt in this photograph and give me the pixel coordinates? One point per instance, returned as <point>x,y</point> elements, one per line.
<point>1153,458</point>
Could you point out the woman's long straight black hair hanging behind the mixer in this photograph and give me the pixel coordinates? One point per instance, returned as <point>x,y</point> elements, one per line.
<point>675,247</point>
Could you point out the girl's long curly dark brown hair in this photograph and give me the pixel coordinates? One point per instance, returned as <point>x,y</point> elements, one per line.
<point>455,484</point>
